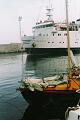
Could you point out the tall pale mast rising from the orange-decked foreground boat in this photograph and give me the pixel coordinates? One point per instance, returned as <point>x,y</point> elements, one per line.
<point>68,39</point>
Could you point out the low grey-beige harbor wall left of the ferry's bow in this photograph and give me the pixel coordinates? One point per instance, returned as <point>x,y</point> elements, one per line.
<point>10,48</point>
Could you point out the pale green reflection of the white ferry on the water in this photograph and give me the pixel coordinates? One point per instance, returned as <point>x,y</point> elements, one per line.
<point>45,66</point>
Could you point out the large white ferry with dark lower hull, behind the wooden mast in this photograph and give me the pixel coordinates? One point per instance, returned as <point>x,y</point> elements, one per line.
<point>51,38</point>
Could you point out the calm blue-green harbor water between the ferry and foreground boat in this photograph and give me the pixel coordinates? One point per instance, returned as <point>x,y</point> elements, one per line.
<point>15,67</point>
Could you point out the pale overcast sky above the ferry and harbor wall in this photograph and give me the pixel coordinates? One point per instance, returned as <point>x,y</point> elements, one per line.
<point>31,12</point>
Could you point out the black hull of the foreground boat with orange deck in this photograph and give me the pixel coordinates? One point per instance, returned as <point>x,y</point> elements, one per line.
<point>56,101</point>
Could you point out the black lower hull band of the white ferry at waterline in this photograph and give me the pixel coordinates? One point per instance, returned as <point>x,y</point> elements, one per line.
<point>50,51</point>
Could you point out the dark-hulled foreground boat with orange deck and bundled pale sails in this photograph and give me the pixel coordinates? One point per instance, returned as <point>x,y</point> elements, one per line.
<point>56,94</point>
